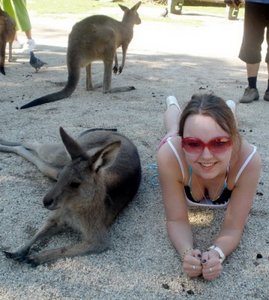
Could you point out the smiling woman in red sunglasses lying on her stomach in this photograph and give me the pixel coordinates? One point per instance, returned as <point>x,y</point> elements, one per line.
<point>203,161</point>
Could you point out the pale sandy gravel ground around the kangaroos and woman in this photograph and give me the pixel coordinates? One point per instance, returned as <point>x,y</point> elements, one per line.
<point>164,58</point>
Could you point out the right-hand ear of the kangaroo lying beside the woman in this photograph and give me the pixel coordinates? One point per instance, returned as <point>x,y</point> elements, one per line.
<point>106,156</point>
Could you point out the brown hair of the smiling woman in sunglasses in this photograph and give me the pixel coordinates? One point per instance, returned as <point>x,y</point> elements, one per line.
<point>214,107</point>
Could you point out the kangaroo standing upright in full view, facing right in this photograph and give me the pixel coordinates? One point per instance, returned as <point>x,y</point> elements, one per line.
<point>95,38</point>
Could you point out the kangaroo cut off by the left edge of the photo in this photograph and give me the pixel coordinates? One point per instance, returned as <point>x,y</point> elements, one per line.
<point>7,34</point>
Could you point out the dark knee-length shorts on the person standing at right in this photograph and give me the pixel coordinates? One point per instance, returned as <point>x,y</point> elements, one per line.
<point>255,23</point>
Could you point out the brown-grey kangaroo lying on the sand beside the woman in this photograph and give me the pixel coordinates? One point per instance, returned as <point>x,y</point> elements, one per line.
<point>97,176</point>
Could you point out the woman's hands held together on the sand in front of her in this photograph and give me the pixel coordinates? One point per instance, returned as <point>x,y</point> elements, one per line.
<point>207,264</point>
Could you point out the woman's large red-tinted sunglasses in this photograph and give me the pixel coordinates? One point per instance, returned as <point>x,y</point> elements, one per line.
<point>196,146</point>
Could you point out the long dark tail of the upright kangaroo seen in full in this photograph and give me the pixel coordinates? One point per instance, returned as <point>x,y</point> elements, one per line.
<point>64,93</point>
